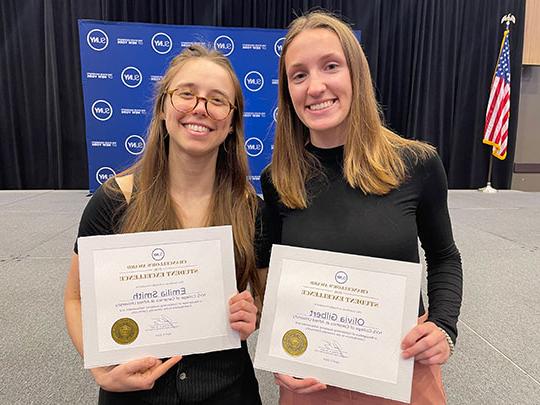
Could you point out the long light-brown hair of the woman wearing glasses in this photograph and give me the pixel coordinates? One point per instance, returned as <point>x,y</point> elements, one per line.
<point>233,201</point>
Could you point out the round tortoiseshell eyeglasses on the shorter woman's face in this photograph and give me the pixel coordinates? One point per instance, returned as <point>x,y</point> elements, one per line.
<point>184,101</point>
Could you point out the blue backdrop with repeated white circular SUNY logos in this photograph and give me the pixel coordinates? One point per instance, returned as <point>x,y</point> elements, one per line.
<point>121,62</point>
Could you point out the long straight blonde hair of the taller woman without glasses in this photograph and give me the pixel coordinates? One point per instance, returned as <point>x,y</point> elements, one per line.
<point>373,161</point>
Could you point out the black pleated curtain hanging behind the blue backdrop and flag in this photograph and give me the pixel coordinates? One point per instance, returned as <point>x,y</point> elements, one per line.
<point>432,63</point>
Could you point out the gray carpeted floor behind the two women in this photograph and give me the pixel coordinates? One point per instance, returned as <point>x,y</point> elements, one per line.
<point>498,353</point>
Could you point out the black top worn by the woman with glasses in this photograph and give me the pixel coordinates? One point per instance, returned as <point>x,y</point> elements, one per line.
<point>224,377</point>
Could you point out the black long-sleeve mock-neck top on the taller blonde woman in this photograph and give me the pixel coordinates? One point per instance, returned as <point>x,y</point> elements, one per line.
<point>340,218</point>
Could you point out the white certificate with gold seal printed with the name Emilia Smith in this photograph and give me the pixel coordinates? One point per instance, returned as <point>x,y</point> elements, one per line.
<point>156,294</point>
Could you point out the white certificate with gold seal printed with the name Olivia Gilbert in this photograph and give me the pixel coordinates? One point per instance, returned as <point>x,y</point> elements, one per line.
<point>339,318</point>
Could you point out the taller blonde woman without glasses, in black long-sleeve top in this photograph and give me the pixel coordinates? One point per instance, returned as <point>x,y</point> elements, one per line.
<point>340,181</point>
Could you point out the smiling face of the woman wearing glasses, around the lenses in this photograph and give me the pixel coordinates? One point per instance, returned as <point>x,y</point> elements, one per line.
<point>195,133</point>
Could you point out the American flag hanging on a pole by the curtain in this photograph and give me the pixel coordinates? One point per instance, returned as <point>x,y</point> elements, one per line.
<point>498,110</point>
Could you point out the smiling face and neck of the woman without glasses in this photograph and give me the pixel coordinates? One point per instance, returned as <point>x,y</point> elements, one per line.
<point>319,83</point>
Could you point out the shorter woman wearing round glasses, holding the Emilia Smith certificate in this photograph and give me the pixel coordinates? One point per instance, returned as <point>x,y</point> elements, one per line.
<point>193,173</point>
